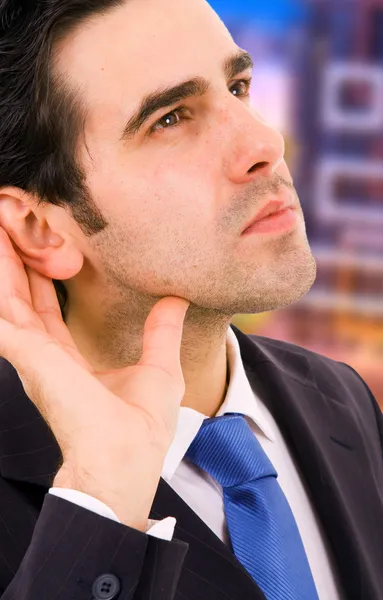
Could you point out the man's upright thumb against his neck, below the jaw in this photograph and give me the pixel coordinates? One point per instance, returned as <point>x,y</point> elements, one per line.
<point>163,335</point>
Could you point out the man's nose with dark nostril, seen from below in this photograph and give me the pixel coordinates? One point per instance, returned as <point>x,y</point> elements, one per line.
<point>256,148</point>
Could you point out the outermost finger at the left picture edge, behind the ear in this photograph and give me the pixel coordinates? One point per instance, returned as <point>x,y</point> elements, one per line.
<point>15,298</point>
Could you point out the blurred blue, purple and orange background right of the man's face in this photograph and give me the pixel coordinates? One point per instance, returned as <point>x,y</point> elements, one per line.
<point>319,79</point>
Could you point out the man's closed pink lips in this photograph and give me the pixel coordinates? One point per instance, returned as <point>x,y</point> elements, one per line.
<point>277,216</point>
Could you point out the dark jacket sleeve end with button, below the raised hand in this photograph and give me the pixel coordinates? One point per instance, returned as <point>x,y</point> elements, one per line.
<point>71,547</point>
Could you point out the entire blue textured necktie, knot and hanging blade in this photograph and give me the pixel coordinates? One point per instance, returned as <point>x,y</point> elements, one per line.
<point>261,525</point>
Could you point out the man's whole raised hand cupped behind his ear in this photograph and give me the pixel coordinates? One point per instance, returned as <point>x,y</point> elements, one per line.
<point>113,440</point>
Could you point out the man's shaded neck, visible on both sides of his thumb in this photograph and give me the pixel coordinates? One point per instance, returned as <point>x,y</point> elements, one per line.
<point>114,341</point>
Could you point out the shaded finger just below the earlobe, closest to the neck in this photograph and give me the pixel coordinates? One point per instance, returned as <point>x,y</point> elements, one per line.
<point>47,307</point>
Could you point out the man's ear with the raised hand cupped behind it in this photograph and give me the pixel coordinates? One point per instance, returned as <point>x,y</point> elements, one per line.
<point>51,253</point>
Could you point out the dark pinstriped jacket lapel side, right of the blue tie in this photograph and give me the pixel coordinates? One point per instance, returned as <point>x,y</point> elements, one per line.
<point>313,412</point>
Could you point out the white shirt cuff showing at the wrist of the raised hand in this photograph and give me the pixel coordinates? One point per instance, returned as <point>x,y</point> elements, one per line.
<point>163,529</point>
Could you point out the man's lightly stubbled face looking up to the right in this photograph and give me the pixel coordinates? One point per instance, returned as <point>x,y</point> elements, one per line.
<point>190,173</point>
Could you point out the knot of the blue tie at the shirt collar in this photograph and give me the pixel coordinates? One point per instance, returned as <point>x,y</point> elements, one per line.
<point>227,449</point>
